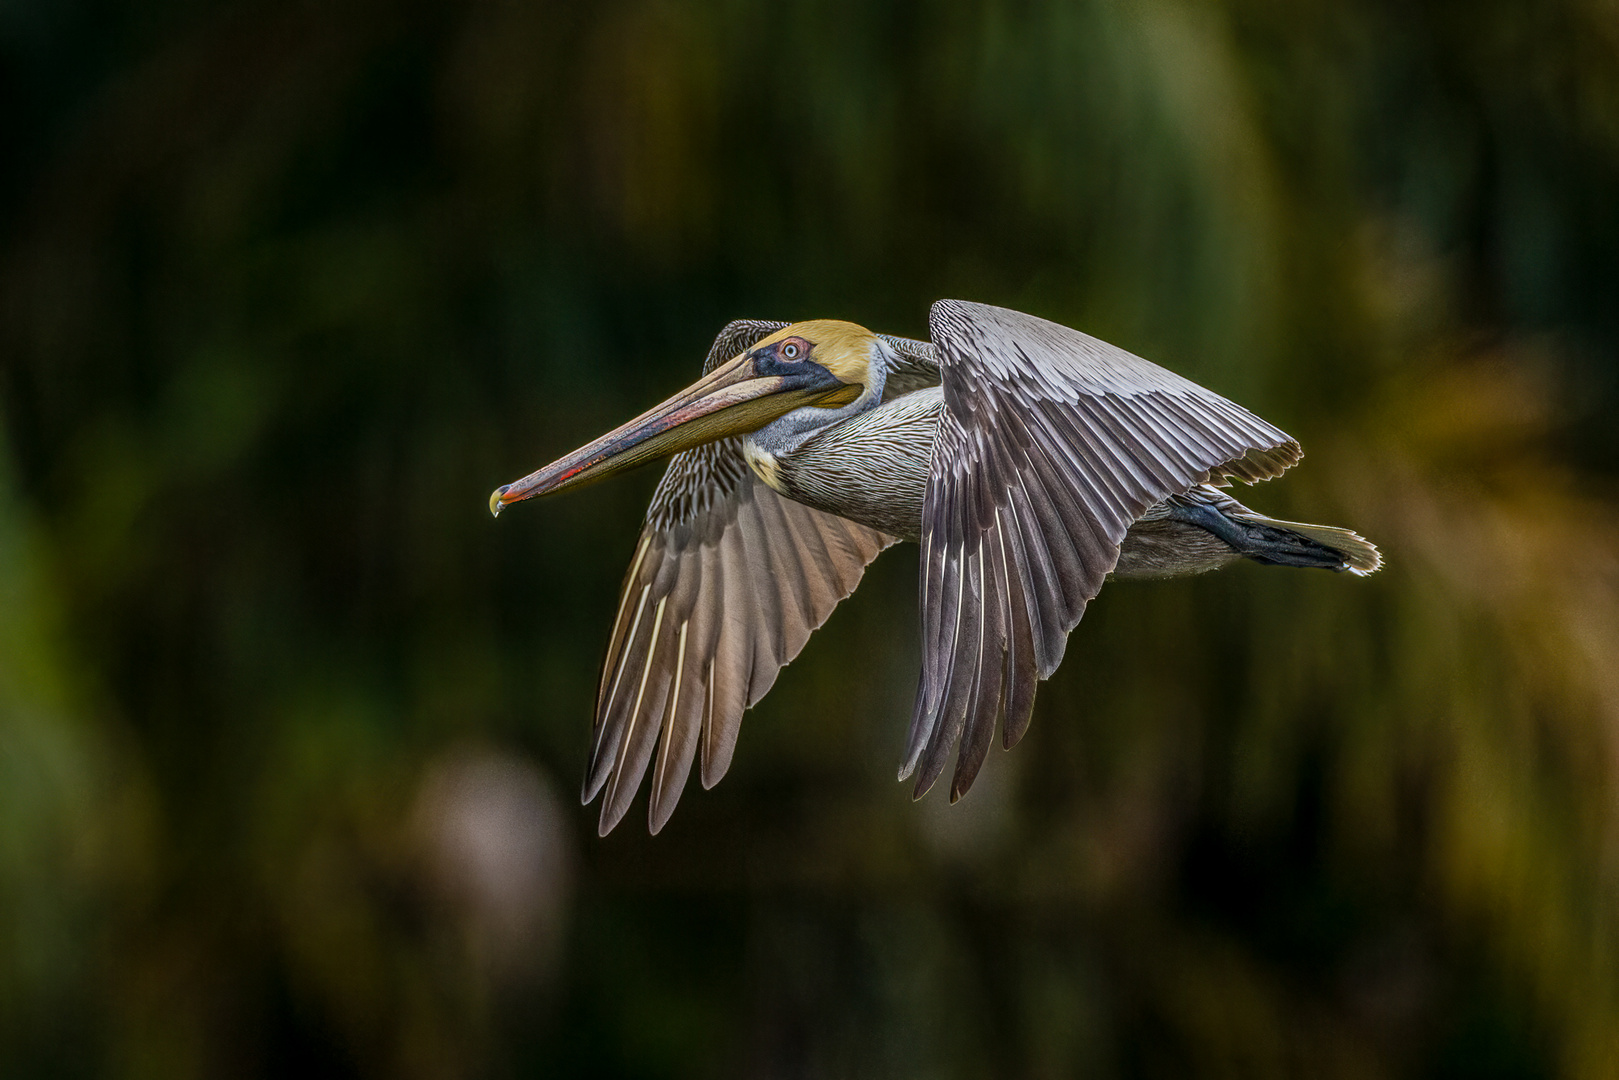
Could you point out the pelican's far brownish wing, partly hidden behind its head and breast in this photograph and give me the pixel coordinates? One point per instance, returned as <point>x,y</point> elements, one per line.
<point>729,579</point>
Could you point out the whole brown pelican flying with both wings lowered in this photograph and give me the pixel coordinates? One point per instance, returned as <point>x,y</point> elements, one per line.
<point>1029,461</point>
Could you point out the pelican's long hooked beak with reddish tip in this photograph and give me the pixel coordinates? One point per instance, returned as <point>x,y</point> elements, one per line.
<point>731,401</point>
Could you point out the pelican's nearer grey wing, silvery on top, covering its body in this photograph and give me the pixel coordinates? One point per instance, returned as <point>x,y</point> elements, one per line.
<point>1053,443</point>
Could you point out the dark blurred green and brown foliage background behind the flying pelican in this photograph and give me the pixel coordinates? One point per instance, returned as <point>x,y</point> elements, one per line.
<point>291,729</point>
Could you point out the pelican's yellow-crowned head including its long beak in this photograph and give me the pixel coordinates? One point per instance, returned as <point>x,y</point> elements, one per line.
<point>807,375</point>
